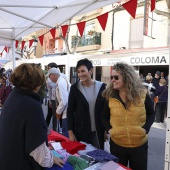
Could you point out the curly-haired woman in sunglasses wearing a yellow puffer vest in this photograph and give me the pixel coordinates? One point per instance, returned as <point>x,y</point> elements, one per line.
<point>128,115</point>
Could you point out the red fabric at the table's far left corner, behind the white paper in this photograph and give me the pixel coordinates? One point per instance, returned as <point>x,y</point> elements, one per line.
<point>57,137</point>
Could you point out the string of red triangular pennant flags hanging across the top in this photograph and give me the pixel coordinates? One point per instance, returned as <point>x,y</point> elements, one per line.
<point>129,6</point>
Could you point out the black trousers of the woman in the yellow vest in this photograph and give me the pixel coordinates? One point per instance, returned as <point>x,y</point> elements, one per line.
<point>135,157</point>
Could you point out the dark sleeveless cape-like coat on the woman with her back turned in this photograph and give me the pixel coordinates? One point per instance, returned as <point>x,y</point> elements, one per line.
<point>22,130</point>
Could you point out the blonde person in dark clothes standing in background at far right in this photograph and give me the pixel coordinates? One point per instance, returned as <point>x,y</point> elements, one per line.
<point>161,105</point>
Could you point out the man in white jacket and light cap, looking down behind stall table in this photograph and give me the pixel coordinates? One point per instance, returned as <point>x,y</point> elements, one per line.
<point>62,93</point>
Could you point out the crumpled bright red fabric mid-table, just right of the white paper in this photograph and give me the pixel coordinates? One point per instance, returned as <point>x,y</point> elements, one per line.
<point>73,147</point>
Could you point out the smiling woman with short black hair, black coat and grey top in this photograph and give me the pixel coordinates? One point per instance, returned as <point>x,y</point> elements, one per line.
<point>85,105</point>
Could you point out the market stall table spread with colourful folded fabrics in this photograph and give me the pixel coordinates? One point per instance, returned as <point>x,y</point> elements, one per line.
<point>81,155</point>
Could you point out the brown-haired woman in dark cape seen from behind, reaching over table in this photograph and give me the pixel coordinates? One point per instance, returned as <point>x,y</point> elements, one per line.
<point>23,131</point>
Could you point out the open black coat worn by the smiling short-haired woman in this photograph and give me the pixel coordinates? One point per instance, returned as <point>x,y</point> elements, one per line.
<point>78,115</point>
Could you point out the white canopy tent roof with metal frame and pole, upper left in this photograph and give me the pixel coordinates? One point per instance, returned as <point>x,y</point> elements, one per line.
<point>22,17</point>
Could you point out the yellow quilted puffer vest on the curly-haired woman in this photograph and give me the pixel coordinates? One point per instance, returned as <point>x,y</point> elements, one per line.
<point>127,125</point>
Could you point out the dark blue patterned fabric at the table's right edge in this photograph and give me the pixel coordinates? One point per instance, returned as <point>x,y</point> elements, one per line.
<point>101,156</point>
